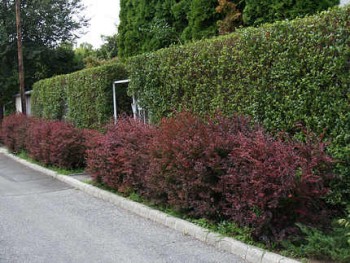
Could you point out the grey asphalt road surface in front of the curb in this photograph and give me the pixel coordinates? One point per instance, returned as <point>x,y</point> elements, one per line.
<point>44,220</point>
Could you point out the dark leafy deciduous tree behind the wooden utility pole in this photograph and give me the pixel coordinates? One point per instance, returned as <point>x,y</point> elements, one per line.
<point>46,25</point>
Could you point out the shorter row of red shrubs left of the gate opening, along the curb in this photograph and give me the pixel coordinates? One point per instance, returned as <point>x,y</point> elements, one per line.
<point>50,142</point>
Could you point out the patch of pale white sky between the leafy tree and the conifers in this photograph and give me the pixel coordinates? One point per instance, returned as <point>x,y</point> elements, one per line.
<point>104,17</point>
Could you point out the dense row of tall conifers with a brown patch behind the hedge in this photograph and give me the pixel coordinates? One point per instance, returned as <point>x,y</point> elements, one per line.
<point>148,25</point>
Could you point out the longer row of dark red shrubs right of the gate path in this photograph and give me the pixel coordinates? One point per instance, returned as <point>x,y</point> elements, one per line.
<point>218,168</point>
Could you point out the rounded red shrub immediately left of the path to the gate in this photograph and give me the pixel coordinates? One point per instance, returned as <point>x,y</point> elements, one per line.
<point>56,143</point>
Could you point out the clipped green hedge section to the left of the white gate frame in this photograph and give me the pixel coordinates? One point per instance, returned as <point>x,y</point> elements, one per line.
<point>83,98</point>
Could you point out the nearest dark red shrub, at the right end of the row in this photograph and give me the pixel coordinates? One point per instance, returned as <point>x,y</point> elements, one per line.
<point>271,184</point>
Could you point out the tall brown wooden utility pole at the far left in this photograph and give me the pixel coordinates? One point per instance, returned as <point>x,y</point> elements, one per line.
<point>20,57</point>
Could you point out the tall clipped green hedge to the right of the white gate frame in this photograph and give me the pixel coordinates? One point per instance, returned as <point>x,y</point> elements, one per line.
<point>281,74</point>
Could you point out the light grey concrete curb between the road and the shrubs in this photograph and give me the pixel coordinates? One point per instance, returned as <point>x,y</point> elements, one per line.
<point>247,252</point>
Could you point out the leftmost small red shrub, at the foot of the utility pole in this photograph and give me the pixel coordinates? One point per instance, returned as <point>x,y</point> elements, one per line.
<point>14,128</point>
